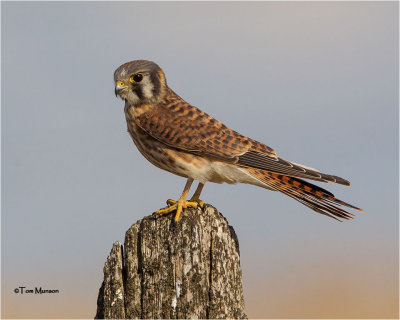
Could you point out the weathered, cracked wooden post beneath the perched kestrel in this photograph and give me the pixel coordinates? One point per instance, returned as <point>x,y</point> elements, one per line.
<point>173,271</point>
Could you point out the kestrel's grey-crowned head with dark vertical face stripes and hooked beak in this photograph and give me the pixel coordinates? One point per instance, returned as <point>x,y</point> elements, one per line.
<point>140,82</point>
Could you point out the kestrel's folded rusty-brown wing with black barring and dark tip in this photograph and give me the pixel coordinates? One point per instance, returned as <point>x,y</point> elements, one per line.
<point>182,126</point>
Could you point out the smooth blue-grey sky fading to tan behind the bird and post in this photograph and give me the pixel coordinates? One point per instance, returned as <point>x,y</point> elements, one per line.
<point>316,81</point>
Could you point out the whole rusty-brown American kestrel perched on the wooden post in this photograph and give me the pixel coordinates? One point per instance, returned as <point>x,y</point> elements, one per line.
<point>180,138</point>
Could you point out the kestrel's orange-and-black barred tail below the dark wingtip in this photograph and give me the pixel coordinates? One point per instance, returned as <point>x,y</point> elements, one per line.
<point>312,196</point>
